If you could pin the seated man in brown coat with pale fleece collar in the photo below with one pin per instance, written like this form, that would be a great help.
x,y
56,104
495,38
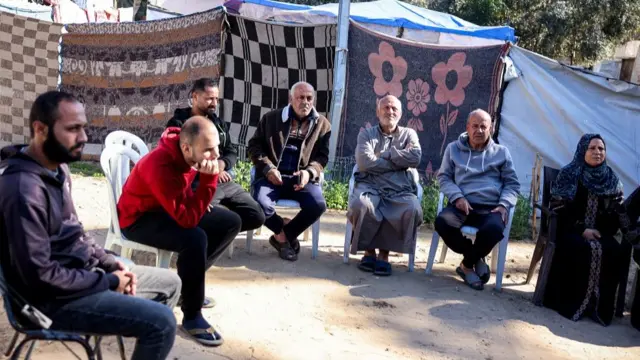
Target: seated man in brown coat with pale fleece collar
x,y
289,150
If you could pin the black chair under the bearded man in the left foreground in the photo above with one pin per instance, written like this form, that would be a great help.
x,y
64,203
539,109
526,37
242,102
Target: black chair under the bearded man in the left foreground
x,y
35,326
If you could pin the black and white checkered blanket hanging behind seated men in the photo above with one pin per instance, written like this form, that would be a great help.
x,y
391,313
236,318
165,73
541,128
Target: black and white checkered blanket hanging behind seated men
x,y
262,61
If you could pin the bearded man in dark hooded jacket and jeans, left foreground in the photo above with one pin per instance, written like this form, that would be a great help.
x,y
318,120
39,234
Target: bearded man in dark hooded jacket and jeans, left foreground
x,y
48,258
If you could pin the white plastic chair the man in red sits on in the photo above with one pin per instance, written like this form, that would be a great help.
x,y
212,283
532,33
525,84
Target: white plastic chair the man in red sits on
x,y
115,160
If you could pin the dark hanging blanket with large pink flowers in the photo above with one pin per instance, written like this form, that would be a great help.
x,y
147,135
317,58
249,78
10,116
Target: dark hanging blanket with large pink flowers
x,y
438,88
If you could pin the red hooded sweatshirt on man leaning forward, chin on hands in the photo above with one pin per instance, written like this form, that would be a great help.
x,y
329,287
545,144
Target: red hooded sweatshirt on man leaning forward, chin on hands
x,y
161,180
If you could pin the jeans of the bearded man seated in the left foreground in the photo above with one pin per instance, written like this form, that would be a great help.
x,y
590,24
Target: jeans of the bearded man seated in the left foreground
x,y
152,323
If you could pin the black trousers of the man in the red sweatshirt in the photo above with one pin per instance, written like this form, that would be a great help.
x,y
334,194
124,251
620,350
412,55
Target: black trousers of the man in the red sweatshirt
x,y
198,248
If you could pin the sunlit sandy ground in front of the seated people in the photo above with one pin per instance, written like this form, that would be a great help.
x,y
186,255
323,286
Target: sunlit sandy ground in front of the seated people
x,y
324,309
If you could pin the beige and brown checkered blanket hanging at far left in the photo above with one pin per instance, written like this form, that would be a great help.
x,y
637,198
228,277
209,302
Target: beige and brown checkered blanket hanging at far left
x,y
28,68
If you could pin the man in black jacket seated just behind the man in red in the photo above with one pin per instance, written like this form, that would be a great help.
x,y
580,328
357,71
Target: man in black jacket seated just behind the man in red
x,y
204,97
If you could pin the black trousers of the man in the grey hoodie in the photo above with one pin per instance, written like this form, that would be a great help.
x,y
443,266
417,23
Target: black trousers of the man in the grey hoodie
x,y
490,228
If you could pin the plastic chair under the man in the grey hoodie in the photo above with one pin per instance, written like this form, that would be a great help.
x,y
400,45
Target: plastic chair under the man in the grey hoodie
x,y
498,256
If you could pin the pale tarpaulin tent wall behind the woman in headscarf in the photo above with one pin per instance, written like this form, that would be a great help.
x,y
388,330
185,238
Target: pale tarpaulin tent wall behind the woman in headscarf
x,y
549,106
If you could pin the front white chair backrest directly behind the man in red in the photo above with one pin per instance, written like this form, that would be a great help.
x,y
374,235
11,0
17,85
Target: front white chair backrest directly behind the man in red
x,y
111,161
